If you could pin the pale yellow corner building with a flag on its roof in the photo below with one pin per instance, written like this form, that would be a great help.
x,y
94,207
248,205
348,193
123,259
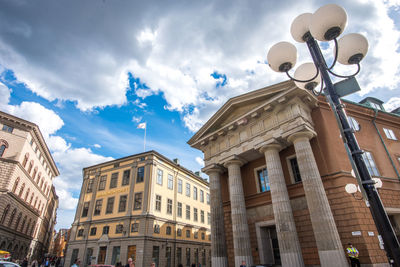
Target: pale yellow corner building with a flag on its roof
x,y
145,207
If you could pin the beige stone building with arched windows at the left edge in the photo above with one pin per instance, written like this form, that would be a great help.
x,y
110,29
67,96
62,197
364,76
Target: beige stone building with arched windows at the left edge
x,y
27,170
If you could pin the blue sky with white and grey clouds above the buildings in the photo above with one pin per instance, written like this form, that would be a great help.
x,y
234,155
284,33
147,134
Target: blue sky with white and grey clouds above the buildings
x,y
89,71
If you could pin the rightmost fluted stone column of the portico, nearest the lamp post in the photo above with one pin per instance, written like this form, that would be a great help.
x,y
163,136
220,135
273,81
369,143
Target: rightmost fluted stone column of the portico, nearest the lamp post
x,y
330,248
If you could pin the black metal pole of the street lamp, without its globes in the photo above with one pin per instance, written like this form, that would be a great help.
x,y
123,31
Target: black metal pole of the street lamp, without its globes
x,y
378,212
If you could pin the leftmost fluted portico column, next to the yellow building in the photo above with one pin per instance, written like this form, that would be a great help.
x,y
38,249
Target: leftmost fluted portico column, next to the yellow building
x,y
218,246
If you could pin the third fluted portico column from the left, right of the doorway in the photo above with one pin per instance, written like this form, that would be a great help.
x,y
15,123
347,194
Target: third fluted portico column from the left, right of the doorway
x,y
289,245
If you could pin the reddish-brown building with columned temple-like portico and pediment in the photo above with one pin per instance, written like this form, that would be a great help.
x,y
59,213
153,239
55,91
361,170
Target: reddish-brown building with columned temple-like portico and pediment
x,y
278,170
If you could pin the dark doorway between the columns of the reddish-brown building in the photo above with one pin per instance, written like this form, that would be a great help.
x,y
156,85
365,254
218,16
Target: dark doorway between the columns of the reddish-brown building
x,y
269,252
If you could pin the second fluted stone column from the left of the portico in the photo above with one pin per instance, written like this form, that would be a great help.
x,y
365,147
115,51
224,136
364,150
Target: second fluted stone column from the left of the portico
x,y
240,228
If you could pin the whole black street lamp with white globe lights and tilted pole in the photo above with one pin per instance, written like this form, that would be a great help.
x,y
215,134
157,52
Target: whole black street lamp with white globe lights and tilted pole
x,y
325,25
